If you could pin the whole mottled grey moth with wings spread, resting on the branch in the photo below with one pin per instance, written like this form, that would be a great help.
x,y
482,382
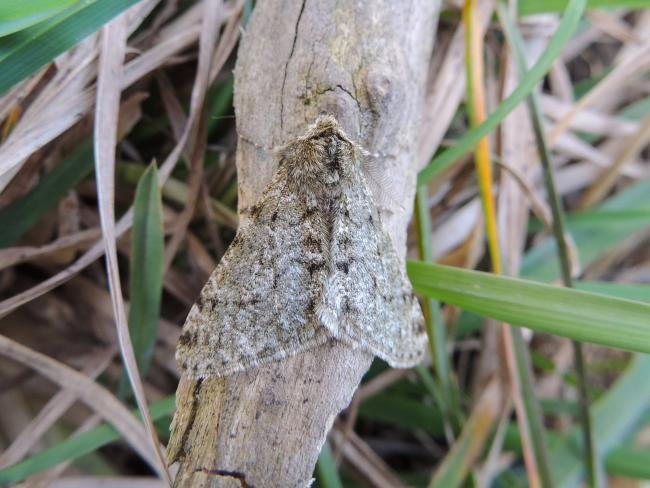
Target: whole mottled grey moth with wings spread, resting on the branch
x,y
311,264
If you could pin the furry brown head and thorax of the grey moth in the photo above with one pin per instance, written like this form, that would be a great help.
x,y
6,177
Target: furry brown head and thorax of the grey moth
x,y
323,154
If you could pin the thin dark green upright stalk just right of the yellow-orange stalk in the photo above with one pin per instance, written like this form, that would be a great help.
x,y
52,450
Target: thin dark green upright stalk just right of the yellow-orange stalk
x,y
559,231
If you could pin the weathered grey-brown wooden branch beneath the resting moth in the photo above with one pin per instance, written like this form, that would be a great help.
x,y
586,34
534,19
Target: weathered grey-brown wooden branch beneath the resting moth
x,y
365,62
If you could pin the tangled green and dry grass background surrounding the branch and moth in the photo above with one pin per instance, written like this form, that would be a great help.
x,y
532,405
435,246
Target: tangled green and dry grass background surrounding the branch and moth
x,y
432,426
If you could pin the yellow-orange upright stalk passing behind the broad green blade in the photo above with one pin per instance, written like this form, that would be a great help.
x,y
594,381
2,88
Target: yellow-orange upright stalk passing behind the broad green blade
x,y
518,362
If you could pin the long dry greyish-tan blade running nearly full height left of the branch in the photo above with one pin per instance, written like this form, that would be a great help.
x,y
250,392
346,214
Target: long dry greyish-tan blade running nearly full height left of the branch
x,y
113,48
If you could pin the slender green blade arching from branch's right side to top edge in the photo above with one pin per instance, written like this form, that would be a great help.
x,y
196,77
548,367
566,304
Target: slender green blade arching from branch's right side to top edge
x,y
565,30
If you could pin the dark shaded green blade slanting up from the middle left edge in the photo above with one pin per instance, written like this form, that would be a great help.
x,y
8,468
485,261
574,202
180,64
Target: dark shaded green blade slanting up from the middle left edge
x,y
19,216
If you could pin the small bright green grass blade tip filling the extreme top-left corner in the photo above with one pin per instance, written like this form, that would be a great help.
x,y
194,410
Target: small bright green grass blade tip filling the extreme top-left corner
x,y
16,15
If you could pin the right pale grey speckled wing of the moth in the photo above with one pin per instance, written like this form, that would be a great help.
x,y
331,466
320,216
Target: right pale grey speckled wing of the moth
x,y
368,290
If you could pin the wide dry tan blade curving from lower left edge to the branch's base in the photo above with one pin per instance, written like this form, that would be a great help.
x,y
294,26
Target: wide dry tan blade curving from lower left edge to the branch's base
x,y
95,396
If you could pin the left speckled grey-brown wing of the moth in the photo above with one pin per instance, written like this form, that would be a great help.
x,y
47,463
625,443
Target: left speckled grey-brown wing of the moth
x,y
260,303
